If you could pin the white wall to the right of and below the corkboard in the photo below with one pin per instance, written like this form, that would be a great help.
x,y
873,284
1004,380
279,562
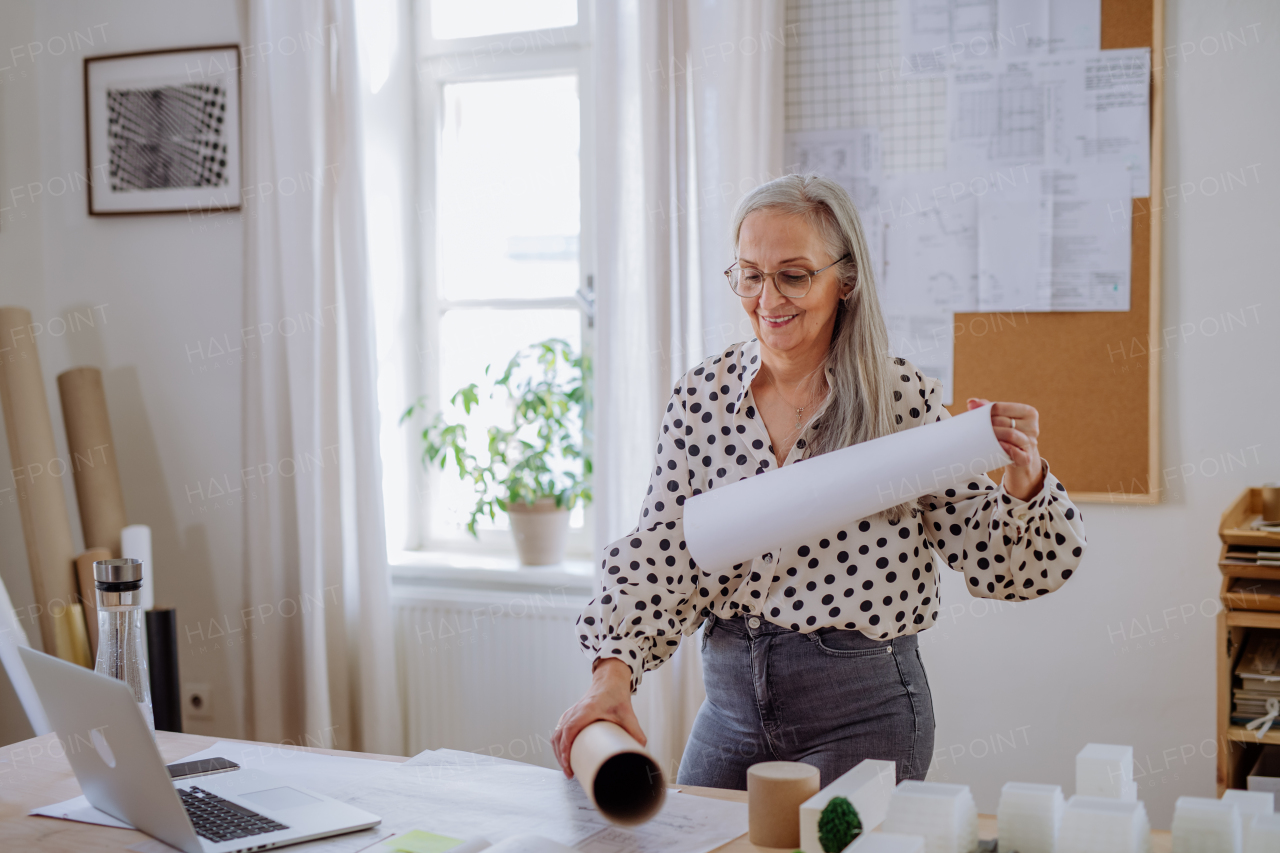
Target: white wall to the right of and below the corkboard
x,y
1124,654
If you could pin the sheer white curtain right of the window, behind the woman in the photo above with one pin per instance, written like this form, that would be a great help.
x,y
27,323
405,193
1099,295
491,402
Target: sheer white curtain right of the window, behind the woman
x,y
689,118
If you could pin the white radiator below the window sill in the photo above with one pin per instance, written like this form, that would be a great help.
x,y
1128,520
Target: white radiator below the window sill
x,y
488,672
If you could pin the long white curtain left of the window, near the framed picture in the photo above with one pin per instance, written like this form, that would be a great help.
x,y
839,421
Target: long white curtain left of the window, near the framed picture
x,y
317,614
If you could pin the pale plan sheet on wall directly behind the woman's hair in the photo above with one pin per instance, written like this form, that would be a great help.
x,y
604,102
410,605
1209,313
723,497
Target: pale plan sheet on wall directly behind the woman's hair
x,y
852,158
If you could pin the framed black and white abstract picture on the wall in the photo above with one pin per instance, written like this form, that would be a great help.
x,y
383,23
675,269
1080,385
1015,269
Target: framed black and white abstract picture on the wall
x,y
163,131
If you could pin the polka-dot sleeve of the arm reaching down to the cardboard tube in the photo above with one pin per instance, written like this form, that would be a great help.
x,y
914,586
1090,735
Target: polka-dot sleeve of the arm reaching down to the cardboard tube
x,y
648,581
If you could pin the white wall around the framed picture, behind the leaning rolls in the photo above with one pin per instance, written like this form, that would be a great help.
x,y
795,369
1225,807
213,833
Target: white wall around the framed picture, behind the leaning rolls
x,y
159,288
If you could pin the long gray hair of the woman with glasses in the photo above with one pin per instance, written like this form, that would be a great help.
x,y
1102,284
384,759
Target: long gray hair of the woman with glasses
x,y
862,402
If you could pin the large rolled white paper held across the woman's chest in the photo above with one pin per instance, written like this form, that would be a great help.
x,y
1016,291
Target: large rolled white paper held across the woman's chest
x,y
806,500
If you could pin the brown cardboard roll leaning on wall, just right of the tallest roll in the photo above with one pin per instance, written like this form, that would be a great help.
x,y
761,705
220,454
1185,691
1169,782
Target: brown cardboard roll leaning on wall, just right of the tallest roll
x,y
89,440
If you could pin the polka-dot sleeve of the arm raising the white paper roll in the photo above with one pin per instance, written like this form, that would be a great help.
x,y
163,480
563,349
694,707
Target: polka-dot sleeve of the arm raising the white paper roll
x,y
1007,548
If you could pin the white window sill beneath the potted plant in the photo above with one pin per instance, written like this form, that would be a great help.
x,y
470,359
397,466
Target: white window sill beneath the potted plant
x,y
488,572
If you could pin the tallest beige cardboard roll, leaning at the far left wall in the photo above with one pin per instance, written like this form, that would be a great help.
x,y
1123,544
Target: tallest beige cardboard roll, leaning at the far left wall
x,y
38,476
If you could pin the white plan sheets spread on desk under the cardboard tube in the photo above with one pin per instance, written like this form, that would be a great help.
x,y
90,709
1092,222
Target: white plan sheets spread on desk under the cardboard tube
x,y
442,795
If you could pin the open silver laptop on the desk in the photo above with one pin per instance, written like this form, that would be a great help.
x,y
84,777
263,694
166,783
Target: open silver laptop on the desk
x,y
121,773
